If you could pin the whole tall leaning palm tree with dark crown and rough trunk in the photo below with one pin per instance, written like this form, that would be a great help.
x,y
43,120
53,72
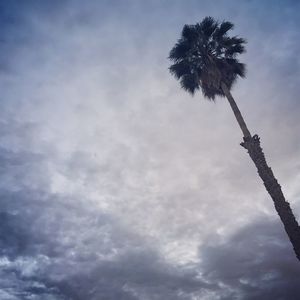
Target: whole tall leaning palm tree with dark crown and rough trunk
x,y
205,57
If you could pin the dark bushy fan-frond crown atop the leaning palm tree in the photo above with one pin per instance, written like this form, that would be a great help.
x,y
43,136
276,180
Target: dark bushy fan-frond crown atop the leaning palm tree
x,y
205,57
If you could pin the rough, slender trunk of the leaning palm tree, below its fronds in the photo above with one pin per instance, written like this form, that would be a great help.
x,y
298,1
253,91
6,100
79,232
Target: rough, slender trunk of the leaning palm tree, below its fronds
x,y
252,144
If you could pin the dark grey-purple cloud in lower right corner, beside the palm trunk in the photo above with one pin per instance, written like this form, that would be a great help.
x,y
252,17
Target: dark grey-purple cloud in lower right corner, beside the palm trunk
x,y
257,262
